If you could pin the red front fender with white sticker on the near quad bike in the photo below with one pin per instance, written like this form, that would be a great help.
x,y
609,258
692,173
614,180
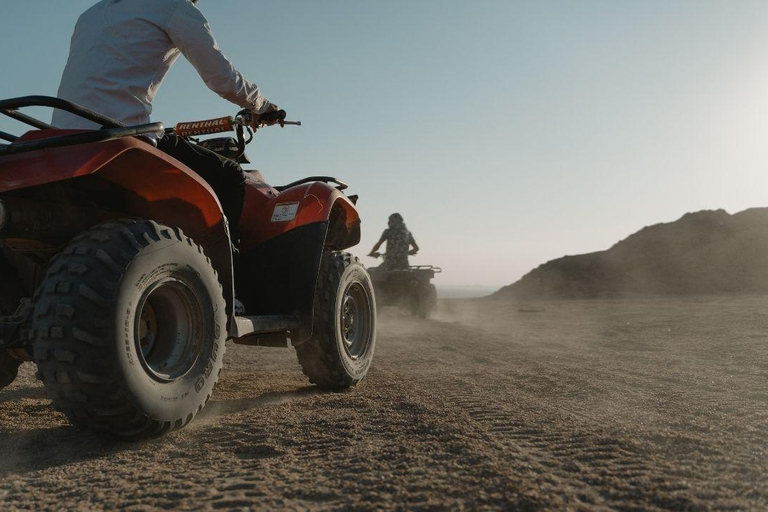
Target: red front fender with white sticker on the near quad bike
x,y
313,202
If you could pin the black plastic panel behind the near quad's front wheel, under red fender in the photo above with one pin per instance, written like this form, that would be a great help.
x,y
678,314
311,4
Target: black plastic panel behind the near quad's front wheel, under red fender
x,y
279,277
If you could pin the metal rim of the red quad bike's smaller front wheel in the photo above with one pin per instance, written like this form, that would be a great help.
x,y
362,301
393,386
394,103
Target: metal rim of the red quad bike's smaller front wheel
x,y
356,319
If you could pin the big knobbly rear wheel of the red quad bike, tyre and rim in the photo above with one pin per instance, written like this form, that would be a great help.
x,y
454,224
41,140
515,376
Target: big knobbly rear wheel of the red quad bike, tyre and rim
x,y
128,329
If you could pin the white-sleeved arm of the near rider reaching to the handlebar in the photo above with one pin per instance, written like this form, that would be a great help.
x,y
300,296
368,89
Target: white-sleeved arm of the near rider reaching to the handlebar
x,y
190,32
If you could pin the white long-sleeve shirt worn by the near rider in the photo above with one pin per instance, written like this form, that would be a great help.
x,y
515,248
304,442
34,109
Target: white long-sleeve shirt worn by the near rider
x,y
121,51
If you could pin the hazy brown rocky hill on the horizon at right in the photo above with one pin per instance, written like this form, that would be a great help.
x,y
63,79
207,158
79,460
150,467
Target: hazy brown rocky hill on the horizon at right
x,y
707,252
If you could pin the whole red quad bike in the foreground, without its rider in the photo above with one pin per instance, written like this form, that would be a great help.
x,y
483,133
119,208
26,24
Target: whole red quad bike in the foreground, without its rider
x,y
117,271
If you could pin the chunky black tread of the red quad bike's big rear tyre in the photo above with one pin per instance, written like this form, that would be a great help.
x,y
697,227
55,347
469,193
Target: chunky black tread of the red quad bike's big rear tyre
x,y
69,333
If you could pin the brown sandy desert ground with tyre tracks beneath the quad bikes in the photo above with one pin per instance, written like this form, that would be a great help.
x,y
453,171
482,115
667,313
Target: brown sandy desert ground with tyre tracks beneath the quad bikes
x,y
630,405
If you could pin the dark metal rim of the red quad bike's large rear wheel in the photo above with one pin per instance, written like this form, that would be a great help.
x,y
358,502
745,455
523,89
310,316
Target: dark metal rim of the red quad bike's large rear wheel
x,y
167,332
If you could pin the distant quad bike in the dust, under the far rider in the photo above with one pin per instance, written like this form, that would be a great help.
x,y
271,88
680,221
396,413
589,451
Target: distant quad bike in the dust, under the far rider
x,y
408,288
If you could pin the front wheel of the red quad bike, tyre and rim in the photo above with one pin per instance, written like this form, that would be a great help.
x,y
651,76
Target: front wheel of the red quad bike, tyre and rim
x,y
340,352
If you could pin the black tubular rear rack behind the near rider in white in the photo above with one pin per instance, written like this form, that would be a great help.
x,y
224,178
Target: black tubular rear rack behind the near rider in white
x,y
111,129
